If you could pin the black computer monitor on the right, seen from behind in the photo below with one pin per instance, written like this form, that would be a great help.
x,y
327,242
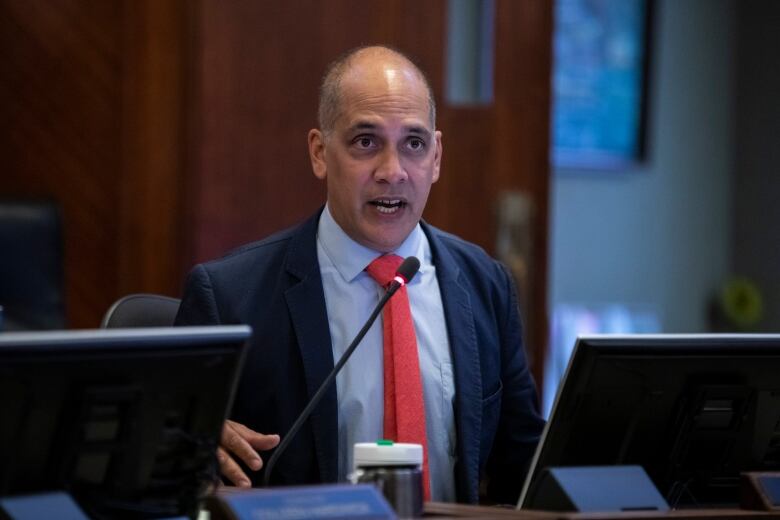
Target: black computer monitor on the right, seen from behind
x,y
693,410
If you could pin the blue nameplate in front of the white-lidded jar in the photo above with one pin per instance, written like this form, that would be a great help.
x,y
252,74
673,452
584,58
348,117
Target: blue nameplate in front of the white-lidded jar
x,y
359,502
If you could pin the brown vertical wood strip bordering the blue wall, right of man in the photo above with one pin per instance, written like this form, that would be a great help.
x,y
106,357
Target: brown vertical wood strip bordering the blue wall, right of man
x,y
522,132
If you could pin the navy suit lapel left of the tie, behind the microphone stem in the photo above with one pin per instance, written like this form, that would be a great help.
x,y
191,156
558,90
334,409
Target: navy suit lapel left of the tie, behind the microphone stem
x,y
306,303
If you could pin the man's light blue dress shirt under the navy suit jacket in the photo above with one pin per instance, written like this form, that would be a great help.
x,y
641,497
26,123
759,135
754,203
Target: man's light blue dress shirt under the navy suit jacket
x,y
350,296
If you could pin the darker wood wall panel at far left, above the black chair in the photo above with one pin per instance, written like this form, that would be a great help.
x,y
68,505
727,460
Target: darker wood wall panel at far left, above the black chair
x,y
60,93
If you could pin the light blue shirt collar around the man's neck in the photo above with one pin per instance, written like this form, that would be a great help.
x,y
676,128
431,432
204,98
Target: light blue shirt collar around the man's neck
x,y
350,258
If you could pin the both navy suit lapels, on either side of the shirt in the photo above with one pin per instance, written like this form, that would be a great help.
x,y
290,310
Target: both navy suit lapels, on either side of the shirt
x,y
306,303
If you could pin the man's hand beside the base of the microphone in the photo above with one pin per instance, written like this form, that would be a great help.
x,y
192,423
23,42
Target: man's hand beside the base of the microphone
x,y
239,441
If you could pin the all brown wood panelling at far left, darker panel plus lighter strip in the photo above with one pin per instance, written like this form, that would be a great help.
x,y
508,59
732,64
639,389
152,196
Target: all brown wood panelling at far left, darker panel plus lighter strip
x,y
91,97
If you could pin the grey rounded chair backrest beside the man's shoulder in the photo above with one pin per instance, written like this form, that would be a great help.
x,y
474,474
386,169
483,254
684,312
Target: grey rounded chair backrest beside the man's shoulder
x,y
141,310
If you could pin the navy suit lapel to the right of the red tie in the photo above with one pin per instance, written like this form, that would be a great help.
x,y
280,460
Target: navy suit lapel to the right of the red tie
x,y
454,289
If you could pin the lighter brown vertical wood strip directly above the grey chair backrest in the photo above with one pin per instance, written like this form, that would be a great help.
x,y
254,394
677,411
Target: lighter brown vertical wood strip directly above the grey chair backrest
x,y
155,97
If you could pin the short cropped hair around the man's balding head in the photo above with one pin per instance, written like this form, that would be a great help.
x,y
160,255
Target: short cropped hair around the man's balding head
x,y
330,88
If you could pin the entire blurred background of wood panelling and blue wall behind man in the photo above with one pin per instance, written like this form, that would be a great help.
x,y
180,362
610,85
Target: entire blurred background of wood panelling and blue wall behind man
x,y
139,137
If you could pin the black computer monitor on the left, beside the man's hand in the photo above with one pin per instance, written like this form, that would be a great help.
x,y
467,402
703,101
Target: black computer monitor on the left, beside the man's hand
x,y
126,420
